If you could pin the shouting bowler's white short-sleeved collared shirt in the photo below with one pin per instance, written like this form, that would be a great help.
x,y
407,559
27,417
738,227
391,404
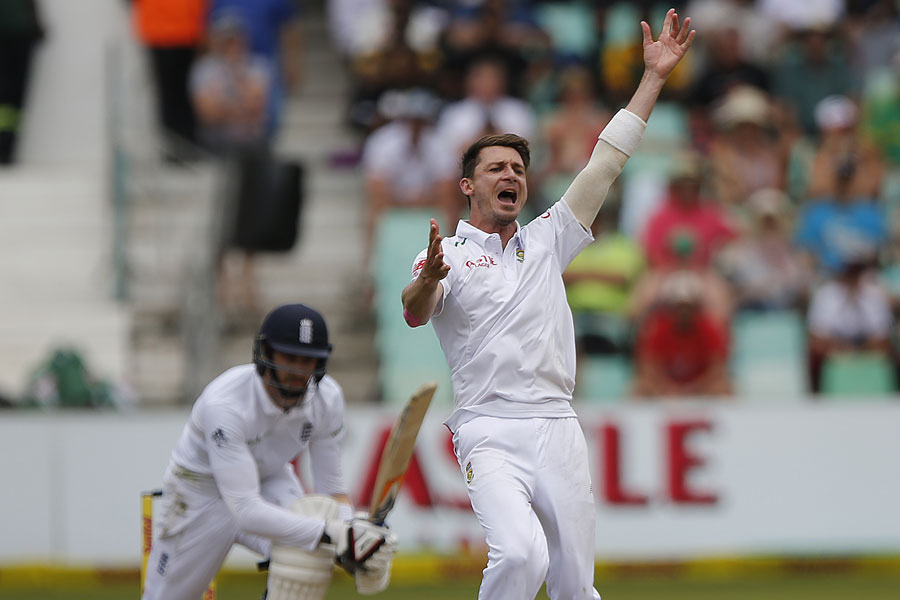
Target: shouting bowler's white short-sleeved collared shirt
x,y
504,323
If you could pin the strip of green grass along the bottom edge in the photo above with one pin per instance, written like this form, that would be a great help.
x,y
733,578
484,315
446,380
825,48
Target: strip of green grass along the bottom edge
x,y
817,586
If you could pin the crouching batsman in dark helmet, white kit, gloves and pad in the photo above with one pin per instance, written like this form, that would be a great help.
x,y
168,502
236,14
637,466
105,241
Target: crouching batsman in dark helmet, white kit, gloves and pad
x,y
229,478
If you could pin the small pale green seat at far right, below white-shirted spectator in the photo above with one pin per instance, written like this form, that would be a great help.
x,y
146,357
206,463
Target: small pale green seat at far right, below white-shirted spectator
x,y
857,376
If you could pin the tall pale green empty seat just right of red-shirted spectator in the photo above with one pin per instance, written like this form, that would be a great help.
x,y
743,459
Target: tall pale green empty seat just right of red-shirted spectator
x,y
769,356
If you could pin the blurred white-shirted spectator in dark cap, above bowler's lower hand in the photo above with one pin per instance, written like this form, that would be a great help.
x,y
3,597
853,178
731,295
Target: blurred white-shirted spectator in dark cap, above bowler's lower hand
x,y
402,158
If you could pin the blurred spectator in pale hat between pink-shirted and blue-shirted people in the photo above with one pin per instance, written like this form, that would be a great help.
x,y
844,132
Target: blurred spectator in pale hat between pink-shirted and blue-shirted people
x,y
763,266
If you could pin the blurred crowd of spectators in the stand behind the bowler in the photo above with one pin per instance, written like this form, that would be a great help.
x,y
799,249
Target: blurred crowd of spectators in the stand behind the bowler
x,y
768,179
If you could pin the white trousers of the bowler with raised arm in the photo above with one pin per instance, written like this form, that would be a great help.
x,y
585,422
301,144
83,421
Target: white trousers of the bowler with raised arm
x,y
530,487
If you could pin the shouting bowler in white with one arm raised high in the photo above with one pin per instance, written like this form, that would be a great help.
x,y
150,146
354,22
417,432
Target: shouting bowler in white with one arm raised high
x,y
495,296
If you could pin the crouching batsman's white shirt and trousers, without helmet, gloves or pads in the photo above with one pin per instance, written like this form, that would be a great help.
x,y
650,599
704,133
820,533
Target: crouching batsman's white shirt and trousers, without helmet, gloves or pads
x,y
229,479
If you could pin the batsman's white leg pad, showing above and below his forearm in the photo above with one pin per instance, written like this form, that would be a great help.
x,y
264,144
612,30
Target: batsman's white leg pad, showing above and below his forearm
x,y
297,574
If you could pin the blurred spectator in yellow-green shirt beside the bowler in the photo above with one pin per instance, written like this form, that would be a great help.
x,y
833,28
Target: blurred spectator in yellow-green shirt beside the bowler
x,y
599,283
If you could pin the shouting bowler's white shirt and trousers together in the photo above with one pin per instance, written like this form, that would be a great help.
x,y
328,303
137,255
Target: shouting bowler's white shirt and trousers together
x,y
506,329
